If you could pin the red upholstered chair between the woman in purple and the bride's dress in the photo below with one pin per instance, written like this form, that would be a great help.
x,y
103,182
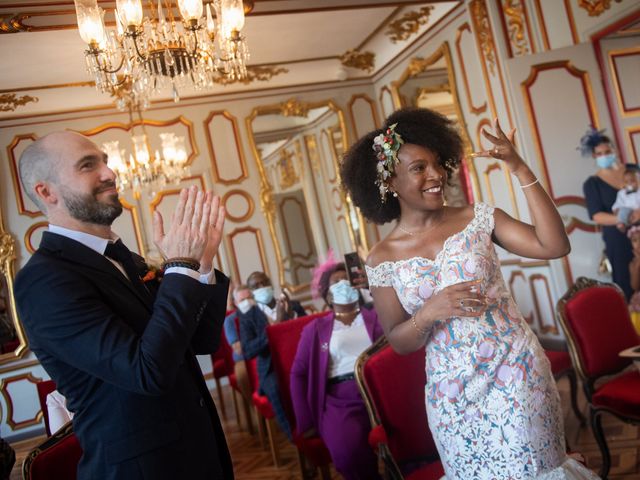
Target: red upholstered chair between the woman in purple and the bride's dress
x,y
392,387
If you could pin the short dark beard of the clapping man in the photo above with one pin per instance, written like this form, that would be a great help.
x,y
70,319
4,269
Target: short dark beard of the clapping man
x,y
87,208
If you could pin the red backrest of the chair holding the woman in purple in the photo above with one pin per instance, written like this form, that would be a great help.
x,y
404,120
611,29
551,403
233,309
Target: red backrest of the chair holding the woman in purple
x,y
283,342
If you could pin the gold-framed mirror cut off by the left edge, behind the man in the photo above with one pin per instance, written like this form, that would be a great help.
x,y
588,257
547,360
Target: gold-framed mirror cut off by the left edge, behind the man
x,y
13,342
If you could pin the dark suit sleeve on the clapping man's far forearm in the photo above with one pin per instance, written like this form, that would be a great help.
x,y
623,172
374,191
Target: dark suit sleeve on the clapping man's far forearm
x,y
206,338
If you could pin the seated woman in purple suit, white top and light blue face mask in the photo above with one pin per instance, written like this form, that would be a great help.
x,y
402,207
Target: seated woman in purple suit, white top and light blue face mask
x,y
324,392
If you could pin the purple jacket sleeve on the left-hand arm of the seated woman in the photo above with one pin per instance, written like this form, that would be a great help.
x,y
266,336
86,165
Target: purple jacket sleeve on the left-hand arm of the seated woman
x,y
300,381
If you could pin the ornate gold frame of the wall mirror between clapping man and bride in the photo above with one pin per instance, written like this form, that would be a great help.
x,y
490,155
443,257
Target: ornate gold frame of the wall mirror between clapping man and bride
x,y
288,108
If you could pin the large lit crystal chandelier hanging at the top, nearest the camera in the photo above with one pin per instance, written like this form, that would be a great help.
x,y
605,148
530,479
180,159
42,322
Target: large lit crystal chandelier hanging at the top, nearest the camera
x,y
158,52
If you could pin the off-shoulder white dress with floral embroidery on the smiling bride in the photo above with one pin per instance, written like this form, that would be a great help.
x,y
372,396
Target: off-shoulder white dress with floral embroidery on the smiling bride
x,y
492,403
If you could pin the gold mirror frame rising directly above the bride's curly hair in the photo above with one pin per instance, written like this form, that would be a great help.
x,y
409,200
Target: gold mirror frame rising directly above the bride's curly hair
x,y
418,65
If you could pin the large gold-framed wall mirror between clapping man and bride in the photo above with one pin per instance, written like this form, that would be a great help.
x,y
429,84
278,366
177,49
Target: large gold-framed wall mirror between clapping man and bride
x,y
297,147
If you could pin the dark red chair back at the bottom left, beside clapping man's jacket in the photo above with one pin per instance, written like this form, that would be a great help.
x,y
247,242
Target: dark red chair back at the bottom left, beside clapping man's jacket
x,y
57,457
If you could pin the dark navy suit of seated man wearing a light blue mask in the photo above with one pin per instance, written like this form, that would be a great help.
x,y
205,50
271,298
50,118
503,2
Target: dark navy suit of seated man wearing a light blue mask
x,y
253,338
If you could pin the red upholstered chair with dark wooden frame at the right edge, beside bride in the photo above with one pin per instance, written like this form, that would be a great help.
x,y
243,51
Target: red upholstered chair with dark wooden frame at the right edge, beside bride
x,y
596,323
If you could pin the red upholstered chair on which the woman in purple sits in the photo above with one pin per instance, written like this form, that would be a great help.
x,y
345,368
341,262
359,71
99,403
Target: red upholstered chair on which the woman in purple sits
x,y
283,341
